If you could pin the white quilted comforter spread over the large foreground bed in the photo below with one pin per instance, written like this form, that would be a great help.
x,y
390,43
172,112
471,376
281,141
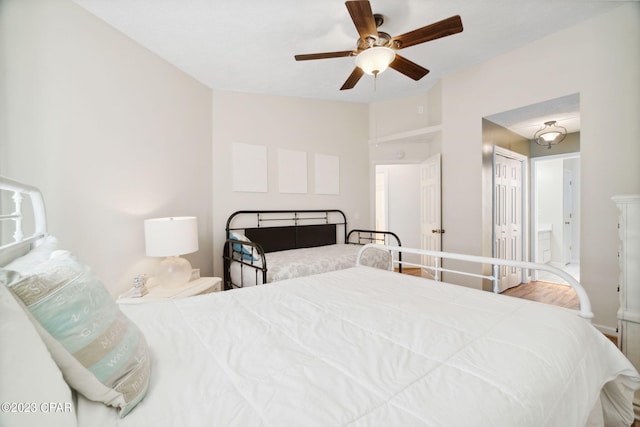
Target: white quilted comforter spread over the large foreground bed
x,y
367,347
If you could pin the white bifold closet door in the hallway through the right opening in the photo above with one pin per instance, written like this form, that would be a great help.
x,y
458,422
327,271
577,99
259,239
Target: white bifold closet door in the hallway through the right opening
x,y
508,217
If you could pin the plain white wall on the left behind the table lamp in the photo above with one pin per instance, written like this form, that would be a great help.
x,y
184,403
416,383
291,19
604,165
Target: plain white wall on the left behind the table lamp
x,y
108,131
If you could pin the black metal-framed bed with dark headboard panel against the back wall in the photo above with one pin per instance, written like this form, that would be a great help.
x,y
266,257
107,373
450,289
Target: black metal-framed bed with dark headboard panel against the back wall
x,y
270,245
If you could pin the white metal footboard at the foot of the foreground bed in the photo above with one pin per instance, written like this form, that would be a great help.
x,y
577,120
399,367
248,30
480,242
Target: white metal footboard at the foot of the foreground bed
x,y
496,263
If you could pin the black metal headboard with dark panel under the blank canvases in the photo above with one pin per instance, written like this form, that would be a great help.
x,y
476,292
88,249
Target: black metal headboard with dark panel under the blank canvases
x,y
278,230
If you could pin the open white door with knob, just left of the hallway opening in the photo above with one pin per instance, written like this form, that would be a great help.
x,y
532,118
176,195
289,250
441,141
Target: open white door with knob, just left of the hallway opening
x,y
430,210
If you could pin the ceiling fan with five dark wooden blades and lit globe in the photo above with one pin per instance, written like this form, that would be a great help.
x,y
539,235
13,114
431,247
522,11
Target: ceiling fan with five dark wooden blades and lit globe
x,y
376,50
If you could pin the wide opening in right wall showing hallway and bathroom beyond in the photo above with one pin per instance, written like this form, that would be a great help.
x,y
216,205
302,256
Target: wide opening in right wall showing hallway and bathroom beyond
x,y
550,222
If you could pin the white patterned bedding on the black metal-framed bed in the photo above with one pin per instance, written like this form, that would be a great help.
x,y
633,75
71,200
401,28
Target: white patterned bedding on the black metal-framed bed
x,y
294,263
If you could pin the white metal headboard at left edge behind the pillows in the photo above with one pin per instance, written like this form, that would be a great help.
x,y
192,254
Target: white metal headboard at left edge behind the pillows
x,y
14,193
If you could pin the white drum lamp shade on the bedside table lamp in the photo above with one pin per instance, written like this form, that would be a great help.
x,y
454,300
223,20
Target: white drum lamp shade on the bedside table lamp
x,y
171,236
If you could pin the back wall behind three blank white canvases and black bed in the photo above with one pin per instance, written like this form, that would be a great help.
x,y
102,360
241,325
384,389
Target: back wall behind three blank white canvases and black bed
x,y
315,127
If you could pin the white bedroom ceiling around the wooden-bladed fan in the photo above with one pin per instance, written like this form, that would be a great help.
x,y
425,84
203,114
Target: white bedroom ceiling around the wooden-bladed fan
x,y
249,46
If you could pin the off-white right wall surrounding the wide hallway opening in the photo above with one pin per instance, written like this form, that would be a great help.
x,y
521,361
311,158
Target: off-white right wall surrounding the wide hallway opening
x,y
600,60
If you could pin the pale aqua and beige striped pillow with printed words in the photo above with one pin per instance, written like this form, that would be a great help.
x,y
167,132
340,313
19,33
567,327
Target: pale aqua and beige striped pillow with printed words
x,y
101,353
